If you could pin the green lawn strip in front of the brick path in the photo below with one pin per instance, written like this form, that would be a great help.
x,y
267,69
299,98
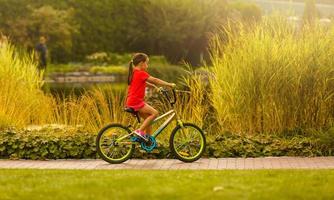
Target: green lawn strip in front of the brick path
x,y
140,184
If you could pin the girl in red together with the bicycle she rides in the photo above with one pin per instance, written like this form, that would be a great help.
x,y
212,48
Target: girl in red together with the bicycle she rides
x,y
115,143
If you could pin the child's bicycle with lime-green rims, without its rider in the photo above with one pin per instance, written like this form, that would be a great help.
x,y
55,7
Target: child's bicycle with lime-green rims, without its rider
x,y
116,143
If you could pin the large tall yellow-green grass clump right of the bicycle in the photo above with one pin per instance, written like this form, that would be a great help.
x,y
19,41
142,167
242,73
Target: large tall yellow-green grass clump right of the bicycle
x,y
273,77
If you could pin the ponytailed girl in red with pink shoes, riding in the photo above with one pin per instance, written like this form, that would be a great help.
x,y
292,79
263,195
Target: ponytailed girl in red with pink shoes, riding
x,y
137,80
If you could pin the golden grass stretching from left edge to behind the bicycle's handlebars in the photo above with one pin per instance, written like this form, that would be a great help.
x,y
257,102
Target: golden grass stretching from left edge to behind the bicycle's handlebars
x,y
23,103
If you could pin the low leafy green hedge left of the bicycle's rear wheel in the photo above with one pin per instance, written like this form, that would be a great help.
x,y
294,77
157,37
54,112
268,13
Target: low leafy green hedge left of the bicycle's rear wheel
x,y
47,144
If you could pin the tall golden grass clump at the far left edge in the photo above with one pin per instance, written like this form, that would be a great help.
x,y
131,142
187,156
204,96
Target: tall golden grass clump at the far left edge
x,y
21,100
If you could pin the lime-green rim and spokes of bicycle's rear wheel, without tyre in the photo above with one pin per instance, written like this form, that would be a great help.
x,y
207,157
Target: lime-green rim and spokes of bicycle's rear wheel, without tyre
x,y
110,150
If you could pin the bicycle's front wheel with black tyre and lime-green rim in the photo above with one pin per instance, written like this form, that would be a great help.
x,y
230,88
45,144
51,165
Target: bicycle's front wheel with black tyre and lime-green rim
x,y
187,143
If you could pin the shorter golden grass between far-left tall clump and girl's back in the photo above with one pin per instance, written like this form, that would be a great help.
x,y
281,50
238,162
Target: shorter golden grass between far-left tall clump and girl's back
x,y
93,110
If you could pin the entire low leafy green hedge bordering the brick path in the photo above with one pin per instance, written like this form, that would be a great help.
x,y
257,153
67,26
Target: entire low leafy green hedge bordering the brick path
x,y
68,142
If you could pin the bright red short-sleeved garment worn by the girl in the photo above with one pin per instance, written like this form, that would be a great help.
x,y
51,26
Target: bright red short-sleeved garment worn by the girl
x,y
136,90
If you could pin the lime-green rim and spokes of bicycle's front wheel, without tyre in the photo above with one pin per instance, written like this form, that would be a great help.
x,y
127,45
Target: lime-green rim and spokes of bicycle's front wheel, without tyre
x,y
188,142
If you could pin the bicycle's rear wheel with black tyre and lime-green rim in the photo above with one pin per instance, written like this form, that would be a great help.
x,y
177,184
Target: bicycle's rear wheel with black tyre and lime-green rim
x,y
113,144
